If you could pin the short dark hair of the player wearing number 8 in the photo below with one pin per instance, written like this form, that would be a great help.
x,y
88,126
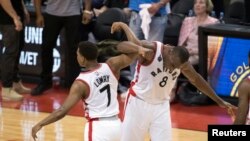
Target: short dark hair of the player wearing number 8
x,y
182,53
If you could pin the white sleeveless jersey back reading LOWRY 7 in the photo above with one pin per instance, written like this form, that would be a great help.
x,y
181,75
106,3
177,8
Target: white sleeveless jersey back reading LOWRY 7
x,y
101,98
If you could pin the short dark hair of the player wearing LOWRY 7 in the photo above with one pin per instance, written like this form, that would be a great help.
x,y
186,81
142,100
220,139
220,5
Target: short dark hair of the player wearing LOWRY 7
x,y
88,50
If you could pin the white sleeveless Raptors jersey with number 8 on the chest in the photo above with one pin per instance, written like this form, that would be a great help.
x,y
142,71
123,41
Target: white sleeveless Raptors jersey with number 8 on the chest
x,y
152,82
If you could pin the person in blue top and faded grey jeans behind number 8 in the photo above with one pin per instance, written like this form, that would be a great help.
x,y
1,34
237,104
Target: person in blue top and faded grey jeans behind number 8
x,y
157,10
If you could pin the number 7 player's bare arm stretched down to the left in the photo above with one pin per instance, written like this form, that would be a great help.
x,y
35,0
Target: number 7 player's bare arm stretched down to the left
x,y
76,93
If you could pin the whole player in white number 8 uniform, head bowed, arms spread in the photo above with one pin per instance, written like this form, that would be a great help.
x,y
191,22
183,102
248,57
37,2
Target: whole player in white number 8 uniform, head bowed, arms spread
x,y
147,107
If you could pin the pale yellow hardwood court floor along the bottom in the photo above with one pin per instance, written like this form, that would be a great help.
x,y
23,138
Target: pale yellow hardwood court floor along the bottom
x,y
16,126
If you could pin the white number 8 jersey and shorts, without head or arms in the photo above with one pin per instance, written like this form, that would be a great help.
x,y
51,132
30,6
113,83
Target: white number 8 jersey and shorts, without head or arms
x,y
148,97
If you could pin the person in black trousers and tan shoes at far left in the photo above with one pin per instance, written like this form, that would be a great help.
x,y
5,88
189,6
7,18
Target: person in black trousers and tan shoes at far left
x,y
13,16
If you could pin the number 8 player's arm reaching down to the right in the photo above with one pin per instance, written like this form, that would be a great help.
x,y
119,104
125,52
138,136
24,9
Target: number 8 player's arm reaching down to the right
x,y
196,79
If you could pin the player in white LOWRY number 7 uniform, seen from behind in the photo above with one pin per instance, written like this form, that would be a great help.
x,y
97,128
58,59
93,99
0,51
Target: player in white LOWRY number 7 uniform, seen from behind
x,y
97,86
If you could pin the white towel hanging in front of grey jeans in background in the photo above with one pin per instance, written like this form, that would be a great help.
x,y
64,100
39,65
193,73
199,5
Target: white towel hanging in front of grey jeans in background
x,y
146,19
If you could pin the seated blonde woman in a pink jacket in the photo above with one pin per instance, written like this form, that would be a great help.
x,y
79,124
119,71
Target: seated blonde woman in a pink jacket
x,y
189,30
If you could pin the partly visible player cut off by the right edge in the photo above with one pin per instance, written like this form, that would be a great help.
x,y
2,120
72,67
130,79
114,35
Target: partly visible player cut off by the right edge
x,y
243,112
